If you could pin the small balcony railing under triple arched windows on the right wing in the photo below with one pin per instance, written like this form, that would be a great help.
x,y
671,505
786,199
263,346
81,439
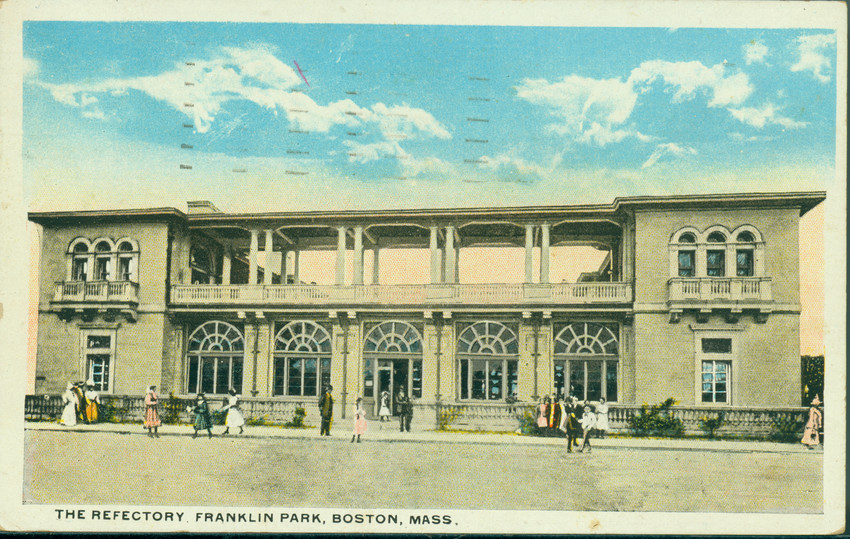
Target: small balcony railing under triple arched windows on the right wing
x,y
683,290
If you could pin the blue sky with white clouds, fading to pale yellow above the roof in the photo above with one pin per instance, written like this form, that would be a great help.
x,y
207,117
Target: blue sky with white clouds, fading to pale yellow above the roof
x,y
315,116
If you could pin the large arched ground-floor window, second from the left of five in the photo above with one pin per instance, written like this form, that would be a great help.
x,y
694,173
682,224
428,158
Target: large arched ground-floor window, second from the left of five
x,y
302,359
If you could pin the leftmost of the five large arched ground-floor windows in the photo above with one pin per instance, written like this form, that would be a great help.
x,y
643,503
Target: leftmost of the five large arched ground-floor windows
x,y
215,358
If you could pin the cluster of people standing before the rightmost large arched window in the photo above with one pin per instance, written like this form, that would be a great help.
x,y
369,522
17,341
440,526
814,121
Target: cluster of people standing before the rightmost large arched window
x,y
558,416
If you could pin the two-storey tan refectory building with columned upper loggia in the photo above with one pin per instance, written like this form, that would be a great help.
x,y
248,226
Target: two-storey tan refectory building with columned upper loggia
x,y
695,297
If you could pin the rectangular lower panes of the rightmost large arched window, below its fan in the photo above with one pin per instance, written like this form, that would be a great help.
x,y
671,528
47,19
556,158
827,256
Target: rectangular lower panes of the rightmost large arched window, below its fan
x,y
589,379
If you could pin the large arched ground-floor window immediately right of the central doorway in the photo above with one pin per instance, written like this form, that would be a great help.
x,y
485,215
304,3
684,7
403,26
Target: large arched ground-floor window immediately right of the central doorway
x,y
488,354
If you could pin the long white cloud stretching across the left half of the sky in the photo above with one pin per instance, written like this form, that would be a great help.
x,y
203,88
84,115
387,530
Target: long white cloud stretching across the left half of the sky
x,y
200,89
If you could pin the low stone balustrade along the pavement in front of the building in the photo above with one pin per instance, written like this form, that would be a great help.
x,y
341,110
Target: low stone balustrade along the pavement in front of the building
x,y
738,422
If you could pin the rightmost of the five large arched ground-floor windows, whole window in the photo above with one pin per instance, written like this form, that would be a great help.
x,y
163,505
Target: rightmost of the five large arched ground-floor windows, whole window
x,y
587,355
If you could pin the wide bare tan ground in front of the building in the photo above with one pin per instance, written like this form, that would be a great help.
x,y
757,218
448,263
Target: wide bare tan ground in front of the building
x,y
119,464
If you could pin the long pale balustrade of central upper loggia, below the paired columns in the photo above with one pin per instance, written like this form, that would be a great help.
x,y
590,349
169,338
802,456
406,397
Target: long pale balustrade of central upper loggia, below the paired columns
x,y
429,294
